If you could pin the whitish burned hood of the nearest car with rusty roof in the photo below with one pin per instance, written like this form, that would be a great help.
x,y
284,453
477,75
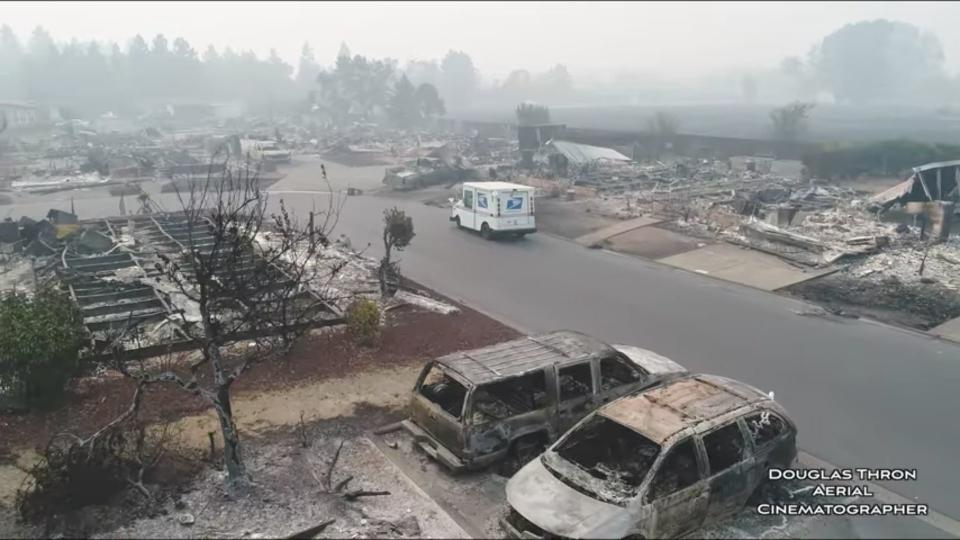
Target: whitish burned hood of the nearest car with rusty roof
x,y
550,504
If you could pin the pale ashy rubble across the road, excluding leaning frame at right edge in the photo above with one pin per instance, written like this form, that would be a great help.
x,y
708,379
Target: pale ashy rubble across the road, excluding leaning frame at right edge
x,y
807,223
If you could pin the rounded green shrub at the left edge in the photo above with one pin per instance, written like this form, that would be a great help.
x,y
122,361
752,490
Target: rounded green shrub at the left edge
x,y
40,345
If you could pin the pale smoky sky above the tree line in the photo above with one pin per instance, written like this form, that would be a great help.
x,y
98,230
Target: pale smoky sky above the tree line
x,y
673,39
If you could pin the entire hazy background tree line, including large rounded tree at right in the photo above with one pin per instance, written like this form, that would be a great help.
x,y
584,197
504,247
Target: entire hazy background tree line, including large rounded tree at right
x,y
865,62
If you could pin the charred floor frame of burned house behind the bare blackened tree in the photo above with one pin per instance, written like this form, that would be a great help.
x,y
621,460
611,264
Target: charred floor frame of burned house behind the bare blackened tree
x,y
109,268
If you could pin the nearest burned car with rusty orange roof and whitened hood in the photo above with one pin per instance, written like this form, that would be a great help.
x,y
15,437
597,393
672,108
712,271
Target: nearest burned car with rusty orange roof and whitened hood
x,y
658,463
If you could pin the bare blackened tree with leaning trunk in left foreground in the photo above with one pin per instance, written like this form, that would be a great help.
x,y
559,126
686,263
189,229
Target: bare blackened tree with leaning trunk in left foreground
x,y
246,283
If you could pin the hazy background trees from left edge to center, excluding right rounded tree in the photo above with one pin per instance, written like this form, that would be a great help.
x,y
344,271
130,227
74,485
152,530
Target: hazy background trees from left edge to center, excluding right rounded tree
x,y
96,77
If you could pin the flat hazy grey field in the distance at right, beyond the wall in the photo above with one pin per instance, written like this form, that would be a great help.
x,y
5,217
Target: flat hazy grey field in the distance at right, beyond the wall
x,y
827,123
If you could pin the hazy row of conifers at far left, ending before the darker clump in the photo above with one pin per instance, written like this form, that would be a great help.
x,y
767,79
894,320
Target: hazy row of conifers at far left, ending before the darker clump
x,y
99,77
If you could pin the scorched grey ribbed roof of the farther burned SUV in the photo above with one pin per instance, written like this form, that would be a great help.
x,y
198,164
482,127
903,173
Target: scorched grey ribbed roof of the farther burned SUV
x,y
512,358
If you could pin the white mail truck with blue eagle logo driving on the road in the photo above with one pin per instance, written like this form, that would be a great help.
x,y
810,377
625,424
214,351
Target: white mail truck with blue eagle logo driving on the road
x,y
495,208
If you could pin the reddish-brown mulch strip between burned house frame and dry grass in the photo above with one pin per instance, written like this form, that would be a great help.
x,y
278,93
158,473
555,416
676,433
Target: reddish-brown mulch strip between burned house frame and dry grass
x,y
411,336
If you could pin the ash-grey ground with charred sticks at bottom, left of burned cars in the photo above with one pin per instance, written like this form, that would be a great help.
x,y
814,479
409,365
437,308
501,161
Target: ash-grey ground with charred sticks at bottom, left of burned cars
x,y
286,500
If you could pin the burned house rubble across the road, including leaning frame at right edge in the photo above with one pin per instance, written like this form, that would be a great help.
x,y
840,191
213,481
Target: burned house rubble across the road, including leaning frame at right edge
x,y
874,253
